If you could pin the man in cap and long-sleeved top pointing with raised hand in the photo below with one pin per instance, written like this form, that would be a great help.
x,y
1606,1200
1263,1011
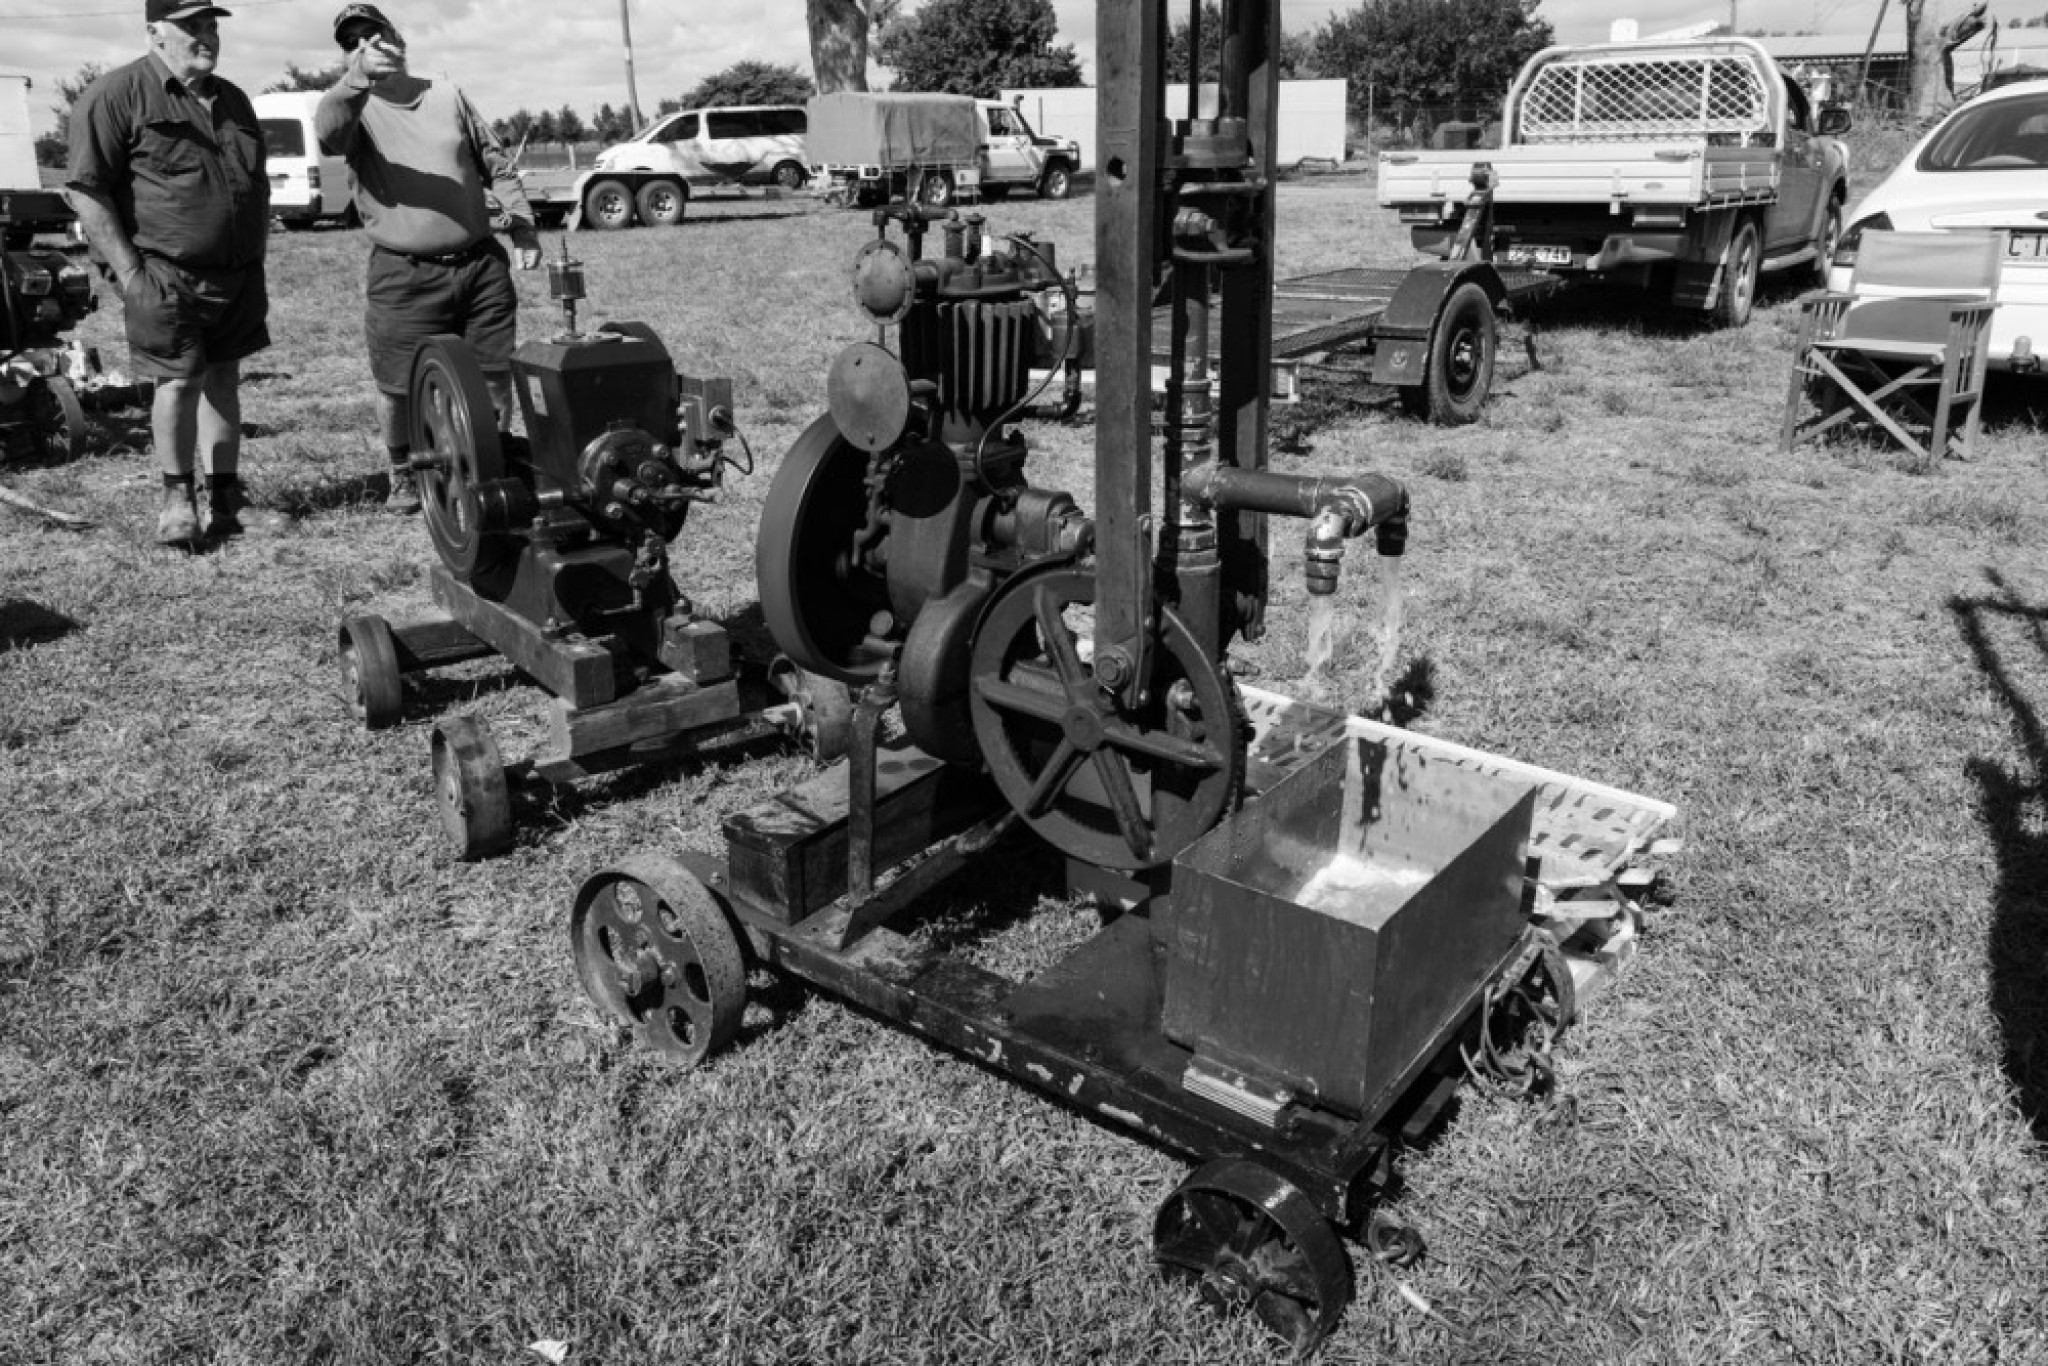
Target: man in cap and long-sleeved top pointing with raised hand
x,y
423,161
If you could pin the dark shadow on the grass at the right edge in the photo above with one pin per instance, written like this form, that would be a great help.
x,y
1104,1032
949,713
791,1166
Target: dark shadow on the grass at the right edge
x,y
2014,806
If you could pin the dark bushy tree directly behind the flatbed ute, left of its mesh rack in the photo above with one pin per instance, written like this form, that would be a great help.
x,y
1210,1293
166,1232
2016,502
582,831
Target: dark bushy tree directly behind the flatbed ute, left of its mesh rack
x,y
1424,60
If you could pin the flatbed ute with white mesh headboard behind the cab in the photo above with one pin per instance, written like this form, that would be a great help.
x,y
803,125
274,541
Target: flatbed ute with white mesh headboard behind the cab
x,y
1682,169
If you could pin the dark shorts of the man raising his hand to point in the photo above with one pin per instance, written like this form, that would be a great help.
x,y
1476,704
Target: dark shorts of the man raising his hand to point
x,y
413,300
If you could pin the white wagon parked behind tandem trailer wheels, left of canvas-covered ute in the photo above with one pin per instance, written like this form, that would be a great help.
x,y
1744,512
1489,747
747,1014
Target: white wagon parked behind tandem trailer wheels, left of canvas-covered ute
x,y
650,177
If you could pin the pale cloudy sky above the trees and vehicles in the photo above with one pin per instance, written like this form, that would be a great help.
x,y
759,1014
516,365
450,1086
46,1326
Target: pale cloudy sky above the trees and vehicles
x,y
546,54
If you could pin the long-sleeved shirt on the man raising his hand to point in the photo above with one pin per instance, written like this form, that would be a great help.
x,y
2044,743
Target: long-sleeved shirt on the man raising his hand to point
x,y
423,161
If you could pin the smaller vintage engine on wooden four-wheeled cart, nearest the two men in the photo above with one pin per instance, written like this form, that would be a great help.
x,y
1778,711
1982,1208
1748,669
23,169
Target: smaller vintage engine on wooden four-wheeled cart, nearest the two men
x,y
556,556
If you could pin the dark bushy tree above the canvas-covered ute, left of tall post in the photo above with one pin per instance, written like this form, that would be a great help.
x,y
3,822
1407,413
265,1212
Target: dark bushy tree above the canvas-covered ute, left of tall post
x,y
978,48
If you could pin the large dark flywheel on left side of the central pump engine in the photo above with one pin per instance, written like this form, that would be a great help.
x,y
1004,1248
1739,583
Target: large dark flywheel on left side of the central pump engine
x,y
816,599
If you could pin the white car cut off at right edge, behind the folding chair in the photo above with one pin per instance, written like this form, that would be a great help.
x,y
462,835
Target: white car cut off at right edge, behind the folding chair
x,y
1983,169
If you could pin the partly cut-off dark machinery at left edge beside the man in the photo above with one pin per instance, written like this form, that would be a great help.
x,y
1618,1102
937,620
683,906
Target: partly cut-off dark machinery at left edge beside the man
x,y
42,298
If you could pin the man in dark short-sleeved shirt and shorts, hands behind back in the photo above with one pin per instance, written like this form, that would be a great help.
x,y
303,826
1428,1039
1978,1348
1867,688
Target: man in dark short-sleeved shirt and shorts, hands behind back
x,y
169,181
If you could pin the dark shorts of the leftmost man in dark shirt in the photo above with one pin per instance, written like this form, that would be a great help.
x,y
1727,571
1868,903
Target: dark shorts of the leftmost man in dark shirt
x,y
181,321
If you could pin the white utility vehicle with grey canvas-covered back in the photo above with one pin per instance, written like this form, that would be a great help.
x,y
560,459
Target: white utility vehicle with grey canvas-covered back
x,y
935,146
